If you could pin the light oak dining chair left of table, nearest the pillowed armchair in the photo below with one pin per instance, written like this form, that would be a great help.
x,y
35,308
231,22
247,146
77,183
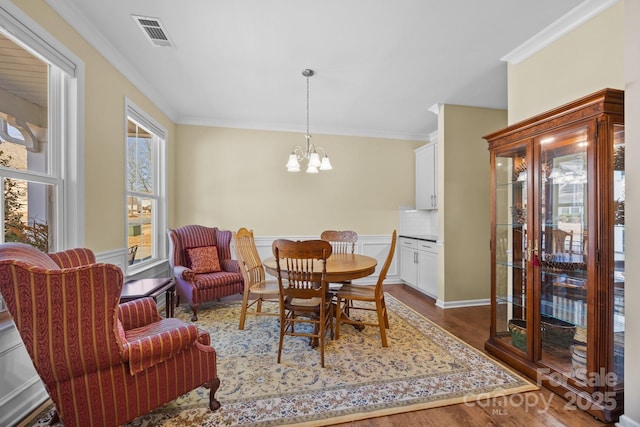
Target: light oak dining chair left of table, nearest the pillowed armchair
x,y
257,288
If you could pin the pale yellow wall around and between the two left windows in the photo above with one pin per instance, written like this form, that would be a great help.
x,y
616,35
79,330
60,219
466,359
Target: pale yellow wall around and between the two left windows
x,y
105,91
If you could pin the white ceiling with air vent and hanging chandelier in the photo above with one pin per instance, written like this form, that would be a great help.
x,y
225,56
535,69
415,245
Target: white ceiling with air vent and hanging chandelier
x,y
380,64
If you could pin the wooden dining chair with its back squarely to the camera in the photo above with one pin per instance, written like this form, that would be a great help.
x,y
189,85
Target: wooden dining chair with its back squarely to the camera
x,y
301,271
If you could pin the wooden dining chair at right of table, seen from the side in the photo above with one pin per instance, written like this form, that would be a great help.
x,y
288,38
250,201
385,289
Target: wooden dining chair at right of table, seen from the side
x,y
370,298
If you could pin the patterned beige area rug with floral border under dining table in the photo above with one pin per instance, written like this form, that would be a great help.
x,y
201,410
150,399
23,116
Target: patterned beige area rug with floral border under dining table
x,y
423,367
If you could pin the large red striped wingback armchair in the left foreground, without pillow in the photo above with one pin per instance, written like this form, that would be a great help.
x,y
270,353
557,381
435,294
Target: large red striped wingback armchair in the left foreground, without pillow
x,y
102,363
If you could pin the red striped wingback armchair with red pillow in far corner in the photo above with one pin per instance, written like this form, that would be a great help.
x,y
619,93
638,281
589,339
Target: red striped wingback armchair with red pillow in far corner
x,y
200,258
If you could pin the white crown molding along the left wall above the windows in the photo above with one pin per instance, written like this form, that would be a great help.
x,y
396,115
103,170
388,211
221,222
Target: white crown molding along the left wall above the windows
x,y
70,13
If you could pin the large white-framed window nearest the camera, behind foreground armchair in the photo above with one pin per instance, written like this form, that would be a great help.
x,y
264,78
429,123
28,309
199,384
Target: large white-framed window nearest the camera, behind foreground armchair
x,y
39,148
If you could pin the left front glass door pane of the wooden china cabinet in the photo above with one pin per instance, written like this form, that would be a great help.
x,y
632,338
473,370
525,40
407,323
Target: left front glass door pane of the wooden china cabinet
x,y
511,179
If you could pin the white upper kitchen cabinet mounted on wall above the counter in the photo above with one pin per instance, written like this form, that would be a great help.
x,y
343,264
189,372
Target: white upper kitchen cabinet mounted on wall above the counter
x,y
426,177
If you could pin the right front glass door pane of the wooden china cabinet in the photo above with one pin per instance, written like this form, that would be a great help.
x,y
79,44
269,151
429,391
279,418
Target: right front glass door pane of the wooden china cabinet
x,y
561,250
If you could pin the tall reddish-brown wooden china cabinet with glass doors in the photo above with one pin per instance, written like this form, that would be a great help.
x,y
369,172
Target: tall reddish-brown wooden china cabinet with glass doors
x,y
557,250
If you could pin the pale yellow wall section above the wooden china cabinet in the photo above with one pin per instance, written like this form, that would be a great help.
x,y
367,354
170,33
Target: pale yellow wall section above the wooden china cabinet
x,y
583,61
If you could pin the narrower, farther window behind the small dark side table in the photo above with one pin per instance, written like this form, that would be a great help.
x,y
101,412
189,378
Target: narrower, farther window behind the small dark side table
x,y
145,194
